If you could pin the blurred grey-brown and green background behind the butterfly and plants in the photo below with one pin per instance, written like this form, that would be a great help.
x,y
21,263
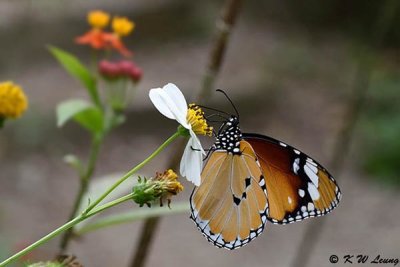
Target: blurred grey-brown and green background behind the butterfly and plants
x,y
293,70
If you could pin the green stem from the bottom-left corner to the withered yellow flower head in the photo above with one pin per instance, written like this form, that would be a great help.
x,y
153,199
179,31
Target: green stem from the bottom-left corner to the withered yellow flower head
x,y
65,227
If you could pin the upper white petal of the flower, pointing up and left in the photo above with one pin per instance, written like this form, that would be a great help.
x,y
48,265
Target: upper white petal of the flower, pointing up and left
x,y
167,106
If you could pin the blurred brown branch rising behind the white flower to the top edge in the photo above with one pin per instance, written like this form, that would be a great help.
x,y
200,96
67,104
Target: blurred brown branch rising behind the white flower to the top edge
x,y
224,27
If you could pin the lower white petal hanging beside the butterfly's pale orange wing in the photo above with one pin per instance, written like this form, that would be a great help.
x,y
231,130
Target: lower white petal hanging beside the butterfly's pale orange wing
x,y
191,163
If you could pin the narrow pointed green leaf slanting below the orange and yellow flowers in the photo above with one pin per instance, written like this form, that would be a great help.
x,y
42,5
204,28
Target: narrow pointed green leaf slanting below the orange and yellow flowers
x,y
77,70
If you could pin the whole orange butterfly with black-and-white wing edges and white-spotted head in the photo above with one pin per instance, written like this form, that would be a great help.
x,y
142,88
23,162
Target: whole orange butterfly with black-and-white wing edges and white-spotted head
x,y
250,179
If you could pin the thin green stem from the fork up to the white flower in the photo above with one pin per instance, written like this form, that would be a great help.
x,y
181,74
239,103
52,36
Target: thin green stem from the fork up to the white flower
x,y
132,171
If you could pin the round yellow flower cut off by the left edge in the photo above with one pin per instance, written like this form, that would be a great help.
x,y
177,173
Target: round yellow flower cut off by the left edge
x,y
13,101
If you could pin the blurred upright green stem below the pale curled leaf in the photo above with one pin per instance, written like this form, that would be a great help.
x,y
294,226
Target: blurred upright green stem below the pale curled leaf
x,y
84,184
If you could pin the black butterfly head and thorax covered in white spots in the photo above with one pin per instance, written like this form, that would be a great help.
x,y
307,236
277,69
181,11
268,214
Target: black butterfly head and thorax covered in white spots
x,y
229,136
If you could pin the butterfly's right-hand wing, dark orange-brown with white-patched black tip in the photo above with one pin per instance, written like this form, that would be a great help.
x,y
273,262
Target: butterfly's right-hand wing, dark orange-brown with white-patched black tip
x,y
298,187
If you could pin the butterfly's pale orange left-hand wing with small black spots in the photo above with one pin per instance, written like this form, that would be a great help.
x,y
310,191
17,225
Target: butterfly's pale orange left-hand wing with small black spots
x,y
230,206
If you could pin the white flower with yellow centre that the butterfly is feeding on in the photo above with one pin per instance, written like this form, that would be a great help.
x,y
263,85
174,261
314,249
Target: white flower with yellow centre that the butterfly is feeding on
x,y
170,101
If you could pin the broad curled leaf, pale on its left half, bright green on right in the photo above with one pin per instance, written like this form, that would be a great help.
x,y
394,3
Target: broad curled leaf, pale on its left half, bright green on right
x,y
88,116
